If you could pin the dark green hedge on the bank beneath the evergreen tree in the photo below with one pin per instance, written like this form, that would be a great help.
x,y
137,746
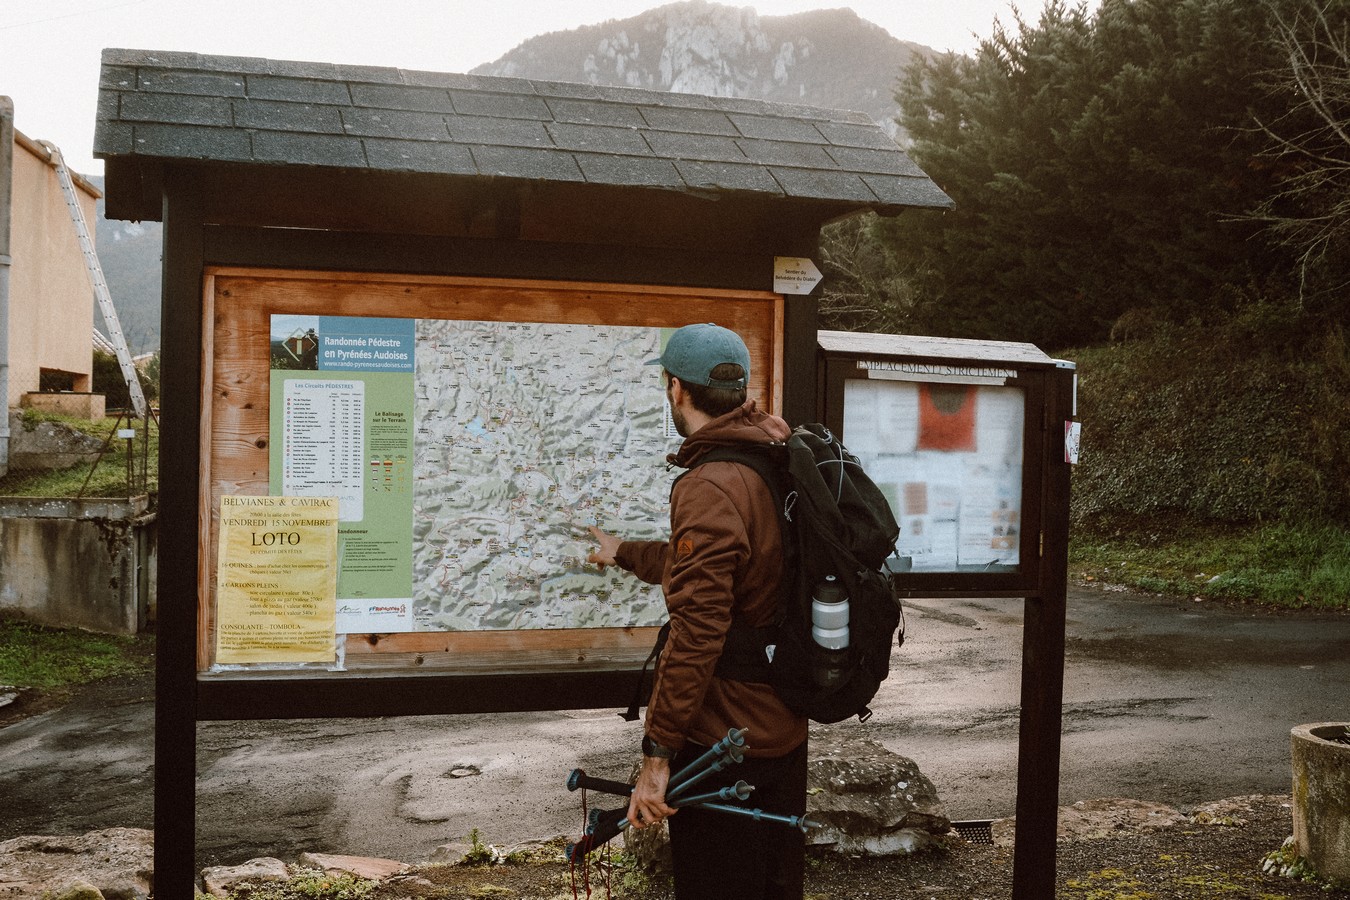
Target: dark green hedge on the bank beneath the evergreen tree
x,y
1248,422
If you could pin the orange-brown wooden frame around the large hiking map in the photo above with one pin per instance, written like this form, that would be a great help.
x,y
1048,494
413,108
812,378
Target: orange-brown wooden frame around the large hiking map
x,y
236,427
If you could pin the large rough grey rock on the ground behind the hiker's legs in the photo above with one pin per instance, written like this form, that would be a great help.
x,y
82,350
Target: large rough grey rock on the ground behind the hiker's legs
x,y
869,799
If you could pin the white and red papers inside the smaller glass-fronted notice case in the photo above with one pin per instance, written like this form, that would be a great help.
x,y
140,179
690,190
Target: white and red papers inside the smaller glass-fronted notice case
x,y
948,458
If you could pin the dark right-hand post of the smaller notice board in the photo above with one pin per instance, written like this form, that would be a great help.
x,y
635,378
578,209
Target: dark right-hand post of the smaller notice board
x,y
1043,663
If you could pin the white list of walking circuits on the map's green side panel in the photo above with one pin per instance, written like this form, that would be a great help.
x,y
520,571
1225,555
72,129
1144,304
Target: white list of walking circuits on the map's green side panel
x,y
325,438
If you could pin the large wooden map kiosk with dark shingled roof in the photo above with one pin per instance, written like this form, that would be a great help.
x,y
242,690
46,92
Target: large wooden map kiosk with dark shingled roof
x,y
404,326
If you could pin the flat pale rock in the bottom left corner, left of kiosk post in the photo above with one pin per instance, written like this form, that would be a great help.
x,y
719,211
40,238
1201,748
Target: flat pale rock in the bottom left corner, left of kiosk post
x,y
115,863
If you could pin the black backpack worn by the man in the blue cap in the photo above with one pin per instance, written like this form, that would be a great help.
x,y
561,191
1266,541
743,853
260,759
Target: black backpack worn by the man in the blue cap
x,y
836,523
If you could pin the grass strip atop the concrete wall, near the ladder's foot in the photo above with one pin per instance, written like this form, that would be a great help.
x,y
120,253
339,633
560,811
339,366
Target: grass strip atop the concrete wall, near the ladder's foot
x,y
110,476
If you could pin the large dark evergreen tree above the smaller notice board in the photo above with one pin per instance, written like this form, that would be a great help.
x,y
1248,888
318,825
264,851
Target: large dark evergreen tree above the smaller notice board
x,y
1101,165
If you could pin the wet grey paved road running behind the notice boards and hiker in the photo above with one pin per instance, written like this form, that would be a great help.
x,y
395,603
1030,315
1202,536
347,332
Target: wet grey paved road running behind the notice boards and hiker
x,y
1171,701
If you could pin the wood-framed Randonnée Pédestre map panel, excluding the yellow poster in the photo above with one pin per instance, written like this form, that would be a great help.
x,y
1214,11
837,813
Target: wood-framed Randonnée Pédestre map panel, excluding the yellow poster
x,y
529,416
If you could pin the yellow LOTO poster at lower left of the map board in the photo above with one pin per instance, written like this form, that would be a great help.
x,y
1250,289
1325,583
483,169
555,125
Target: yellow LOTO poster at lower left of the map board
x,y
277,580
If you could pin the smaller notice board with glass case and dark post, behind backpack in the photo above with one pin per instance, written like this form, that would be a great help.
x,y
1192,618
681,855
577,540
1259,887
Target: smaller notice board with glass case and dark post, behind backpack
x,y
973,445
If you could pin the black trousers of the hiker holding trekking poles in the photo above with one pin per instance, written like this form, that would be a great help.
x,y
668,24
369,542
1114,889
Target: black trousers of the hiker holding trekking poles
x,y
723,855
